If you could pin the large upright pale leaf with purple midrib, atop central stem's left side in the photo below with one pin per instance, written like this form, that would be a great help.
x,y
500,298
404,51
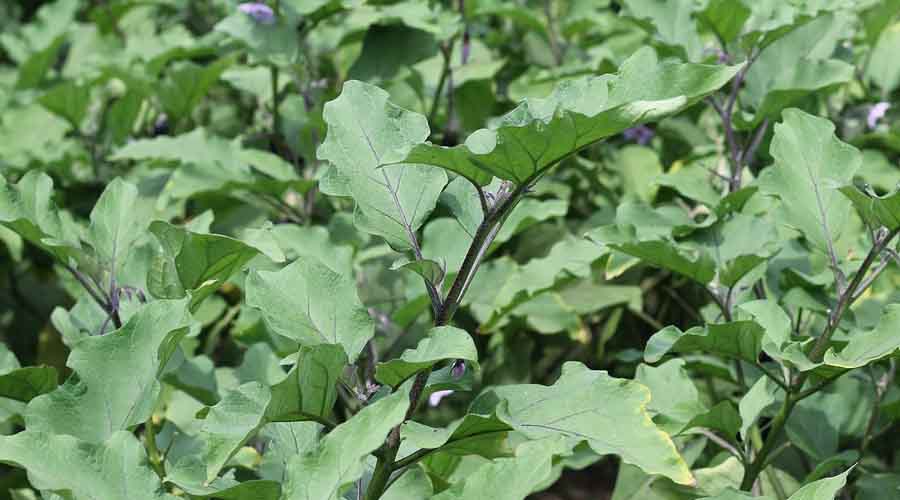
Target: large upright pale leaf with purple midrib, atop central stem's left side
x,y
365,132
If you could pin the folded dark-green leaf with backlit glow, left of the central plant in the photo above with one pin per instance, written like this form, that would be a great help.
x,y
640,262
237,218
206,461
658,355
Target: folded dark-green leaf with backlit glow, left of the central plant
x,y
193,263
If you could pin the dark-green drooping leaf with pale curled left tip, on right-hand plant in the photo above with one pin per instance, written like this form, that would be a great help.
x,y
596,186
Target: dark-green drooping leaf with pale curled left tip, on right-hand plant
x,y
738,339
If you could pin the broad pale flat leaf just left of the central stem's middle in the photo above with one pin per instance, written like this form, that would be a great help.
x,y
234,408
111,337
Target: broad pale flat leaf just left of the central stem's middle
x,y
311,304
